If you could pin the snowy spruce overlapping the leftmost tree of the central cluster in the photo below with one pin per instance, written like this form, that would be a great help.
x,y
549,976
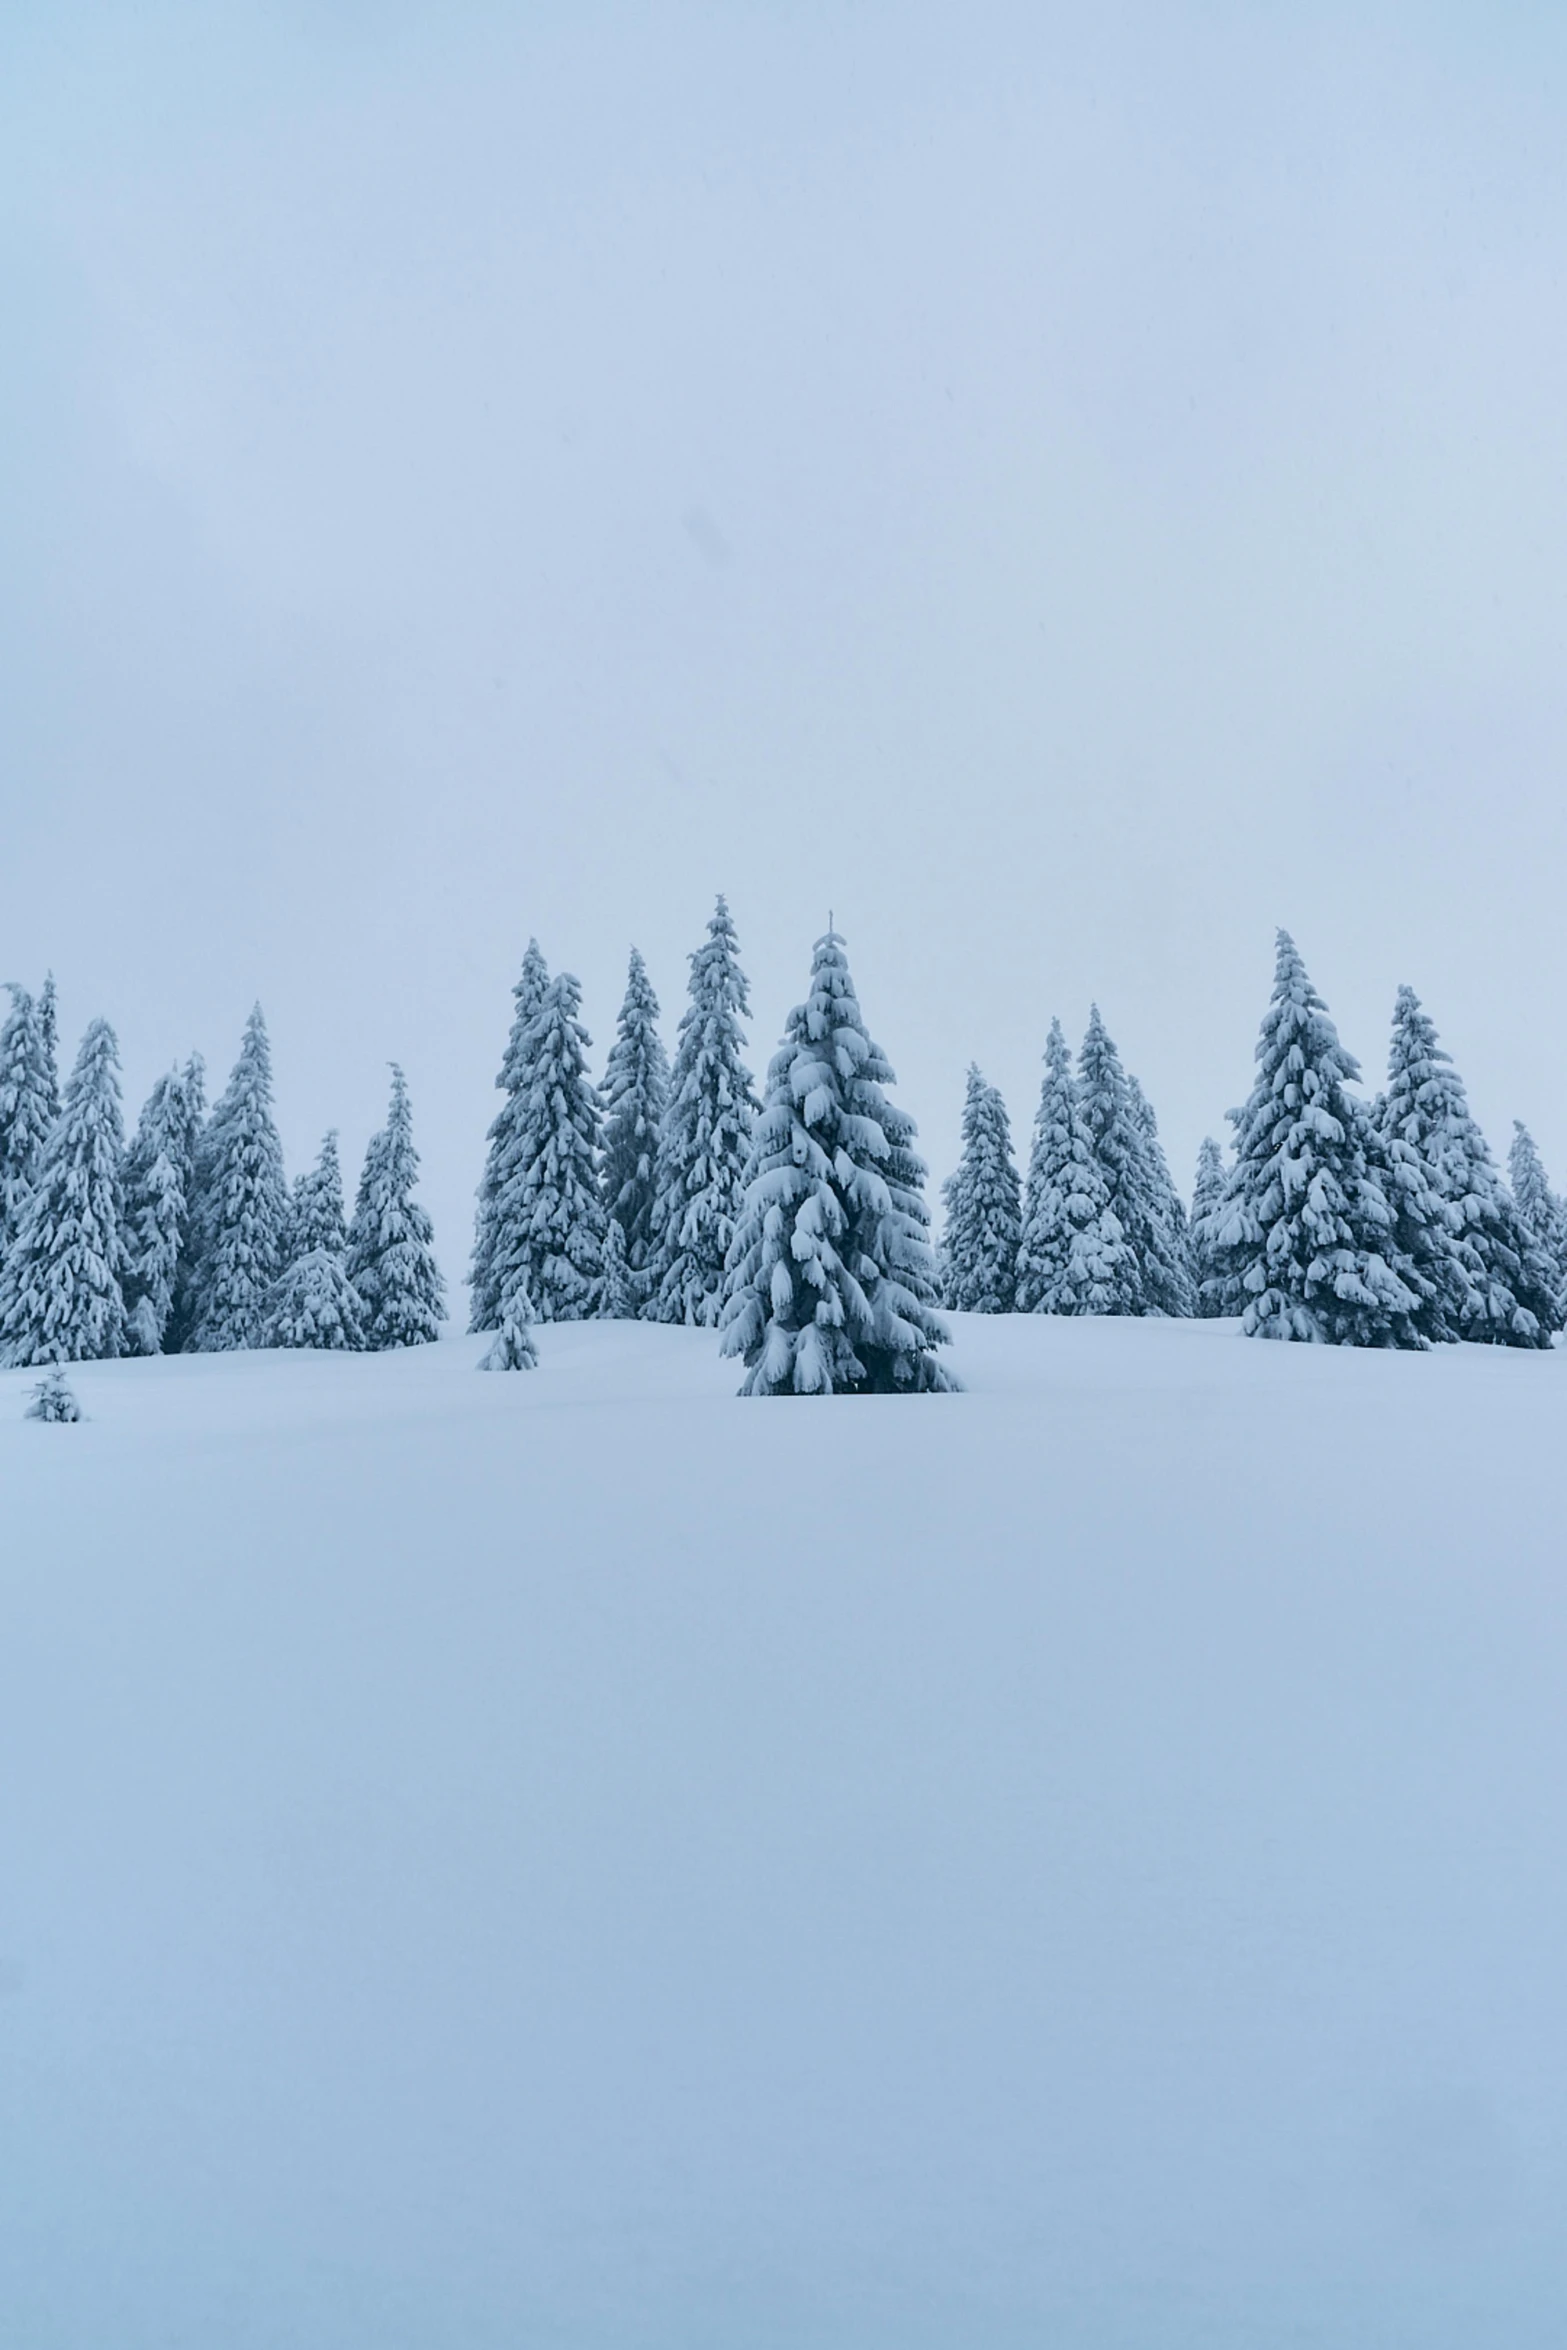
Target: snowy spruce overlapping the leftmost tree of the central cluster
x,y
551,1216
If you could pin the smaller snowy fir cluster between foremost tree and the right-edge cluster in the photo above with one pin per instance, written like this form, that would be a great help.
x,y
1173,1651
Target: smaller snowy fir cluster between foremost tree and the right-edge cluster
x,y
1098,1228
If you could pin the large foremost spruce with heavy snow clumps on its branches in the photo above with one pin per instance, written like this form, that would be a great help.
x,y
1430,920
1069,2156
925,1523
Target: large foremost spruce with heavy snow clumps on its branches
x,y
830,1273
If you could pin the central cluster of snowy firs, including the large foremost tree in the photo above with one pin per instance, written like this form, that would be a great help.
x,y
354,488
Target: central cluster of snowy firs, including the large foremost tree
x,y
671,1195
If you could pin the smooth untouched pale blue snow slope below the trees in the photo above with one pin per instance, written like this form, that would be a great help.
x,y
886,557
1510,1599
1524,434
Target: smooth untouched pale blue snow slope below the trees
x,y
577,1860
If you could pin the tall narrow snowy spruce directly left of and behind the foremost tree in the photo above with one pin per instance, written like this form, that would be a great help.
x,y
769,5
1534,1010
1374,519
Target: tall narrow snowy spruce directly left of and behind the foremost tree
x,y
706,1139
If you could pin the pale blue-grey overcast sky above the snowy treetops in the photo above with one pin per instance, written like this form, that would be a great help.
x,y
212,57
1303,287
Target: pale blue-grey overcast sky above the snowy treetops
x,y
1063,488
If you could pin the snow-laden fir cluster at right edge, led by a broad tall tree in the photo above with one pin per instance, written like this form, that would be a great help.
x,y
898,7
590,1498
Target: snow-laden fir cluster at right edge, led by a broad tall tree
x,y
1373,1223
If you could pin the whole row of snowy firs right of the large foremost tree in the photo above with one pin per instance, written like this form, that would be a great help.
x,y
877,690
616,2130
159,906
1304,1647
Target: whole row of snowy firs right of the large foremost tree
x,y
1359,1223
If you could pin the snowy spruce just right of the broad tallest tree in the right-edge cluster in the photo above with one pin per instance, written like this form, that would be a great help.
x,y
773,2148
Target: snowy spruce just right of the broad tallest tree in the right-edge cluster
x,y
1495,1284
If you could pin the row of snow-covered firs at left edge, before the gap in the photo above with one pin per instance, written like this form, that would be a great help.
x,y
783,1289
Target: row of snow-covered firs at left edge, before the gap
x,y
189,1240
